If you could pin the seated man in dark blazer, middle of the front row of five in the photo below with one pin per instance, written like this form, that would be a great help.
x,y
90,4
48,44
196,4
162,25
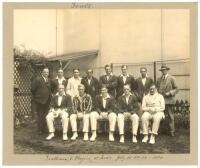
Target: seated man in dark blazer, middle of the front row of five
x,y
104,109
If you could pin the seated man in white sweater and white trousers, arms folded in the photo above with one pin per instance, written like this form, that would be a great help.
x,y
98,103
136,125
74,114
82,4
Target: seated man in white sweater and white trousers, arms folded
x,y
153,106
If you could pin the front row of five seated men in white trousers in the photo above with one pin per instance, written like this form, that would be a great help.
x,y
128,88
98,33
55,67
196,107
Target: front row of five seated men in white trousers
x,y
105,107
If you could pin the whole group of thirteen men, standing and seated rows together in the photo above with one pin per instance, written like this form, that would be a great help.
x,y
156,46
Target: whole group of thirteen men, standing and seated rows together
x,y
115,98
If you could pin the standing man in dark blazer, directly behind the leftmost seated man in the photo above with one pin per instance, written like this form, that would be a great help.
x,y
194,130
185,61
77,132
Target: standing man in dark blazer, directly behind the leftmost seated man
x,y
60,79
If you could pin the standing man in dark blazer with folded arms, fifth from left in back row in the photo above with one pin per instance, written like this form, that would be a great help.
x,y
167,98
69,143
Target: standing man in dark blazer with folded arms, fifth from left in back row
x,y
109,80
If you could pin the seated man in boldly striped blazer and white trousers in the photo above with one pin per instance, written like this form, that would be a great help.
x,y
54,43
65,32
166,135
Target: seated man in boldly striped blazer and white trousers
x,y
81,107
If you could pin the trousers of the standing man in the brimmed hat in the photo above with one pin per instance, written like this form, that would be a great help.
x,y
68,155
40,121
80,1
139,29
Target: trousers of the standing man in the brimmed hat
x,y
170,112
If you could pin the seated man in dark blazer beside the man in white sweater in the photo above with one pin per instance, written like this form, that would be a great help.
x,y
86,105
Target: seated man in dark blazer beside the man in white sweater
x,y
128,108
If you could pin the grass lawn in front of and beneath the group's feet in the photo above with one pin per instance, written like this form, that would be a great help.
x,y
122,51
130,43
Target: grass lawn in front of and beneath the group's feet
x,y
27,141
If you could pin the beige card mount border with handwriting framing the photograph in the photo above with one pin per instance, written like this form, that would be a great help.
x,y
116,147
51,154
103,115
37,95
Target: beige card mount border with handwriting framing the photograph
x,y
9,158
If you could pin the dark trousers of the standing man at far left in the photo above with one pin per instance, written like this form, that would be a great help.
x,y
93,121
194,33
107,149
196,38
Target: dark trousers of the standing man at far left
x,y
42,110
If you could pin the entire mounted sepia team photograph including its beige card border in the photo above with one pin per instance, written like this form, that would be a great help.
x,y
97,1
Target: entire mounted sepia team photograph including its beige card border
x,y
96,81
